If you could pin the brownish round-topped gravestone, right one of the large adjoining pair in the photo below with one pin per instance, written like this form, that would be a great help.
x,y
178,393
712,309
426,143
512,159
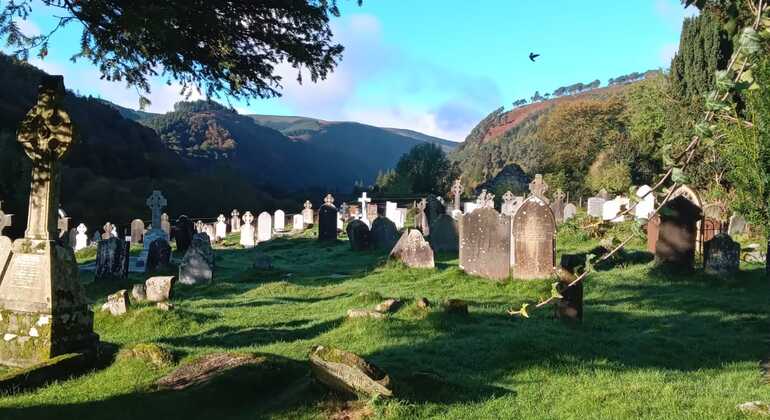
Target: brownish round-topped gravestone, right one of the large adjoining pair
x,y
534,240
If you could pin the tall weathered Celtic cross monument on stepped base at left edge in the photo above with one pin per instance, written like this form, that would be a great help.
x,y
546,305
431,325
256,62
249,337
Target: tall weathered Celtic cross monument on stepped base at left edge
x,y
43,308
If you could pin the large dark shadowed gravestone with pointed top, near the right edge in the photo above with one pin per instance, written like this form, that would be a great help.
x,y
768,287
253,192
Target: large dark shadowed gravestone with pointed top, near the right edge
x,y
678,234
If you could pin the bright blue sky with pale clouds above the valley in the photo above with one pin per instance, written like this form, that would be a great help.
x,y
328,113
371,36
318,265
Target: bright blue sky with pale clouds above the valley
x,y
437,67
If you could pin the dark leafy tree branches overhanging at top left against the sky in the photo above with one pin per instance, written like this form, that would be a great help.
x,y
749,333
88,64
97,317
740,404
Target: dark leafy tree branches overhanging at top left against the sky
x,y
215,46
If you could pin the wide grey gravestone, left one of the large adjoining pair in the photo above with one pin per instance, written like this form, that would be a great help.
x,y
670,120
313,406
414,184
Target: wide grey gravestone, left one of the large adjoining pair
x,y
485,244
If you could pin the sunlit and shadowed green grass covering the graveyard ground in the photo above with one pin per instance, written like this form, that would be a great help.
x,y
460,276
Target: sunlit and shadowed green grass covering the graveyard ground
x,y
651,346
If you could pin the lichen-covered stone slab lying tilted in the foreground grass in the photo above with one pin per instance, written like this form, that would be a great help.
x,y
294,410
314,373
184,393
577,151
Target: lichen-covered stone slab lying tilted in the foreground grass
x,y
348,373
